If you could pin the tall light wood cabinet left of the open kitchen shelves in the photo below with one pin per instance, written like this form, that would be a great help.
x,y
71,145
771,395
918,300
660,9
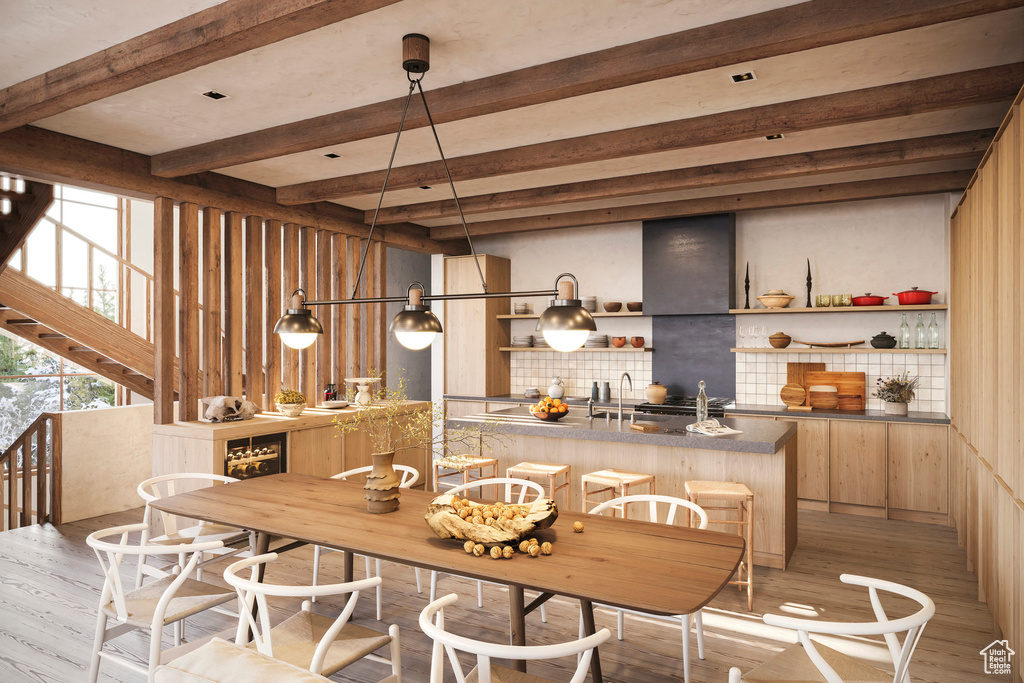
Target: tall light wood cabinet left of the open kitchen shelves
x,y
474,332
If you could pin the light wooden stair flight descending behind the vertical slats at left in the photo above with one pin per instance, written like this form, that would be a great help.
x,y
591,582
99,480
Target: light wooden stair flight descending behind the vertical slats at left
x,y
58,324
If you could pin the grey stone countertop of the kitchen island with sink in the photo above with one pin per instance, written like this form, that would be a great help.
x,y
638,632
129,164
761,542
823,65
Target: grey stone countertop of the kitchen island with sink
x,y
757,437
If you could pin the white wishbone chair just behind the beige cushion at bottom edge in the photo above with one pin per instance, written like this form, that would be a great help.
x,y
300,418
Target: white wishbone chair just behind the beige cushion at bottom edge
x,y
321,645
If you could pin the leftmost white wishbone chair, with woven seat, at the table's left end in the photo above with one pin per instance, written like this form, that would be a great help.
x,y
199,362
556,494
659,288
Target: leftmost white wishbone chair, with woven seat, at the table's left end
x,y
167,601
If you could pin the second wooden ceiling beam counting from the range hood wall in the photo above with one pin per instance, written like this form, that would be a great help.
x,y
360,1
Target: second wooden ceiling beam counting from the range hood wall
x,y
895,153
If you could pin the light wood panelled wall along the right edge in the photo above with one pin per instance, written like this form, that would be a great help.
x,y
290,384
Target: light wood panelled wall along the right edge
x,y
988,375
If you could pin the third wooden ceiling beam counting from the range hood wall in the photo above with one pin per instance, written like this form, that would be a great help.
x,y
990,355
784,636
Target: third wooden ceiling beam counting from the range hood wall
x,y
899,100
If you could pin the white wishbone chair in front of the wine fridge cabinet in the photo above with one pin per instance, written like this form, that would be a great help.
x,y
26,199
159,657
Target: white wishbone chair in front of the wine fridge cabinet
x,y
182,530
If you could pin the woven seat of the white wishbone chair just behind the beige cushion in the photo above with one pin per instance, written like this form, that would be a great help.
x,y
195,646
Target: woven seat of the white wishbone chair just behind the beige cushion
x,y
295,642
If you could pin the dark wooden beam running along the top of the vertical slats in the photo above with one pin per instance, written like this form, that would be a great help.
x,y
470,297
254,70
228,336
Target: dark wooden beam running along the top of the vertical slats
x,y
57,158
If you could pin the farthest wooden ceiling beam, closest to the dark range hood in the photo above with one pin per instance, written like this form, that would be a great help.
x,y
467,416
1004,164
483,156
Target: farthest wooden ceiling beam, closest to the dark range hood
x,y
847,192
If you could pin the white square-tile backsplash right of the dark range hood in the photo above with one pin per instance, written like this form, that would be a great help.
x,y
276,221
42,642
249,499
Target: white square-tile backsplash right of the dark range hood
x,y
760,377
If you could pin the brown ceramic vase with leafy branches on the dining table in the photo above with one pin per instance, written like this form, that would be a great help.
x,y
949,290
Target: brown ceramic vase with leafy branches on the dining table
x,y
392,428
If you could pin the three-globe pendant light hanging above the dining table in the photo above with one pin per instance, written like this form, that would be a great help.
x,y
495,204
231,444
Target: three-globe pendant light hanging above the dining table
x,y
566,326
